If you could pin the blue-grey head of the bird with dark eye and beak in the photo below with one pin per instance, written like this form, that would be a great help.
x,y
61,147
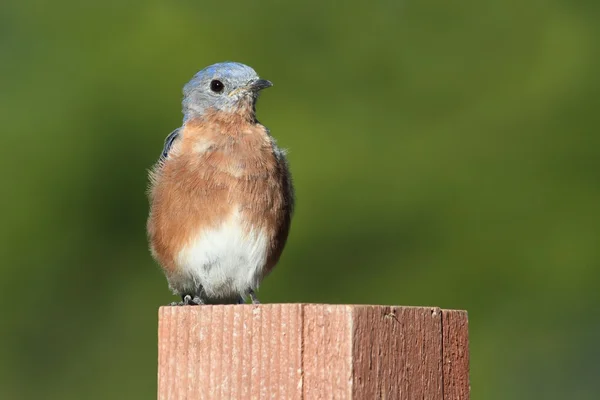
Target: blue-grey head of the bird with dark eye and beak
x,y
228,87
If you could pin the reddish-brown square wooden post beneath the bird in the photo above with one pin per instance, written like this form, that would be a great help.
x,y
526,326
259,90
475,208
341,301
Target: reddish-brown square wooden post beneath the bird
x,y
312,351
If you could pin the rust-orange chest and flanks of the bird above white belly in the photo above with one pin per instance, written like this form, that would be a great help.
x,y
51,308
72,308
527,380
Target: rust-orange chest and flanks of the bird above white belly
x,y
219,166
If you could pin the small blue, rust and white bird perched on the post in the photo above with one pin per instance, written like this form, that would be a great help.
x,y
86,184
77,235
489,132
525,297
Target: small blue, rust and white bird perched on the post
x,y
221,193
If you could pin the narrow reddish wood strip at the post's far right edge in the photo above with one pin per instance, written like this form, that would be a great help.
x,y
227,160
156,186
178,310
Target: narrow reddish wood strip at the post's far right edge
x,y
455,336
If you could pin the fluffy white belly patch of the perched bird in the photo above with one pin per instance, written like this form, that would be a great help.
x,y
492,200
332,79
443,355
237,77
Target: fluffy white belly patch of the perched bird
x,y
226,260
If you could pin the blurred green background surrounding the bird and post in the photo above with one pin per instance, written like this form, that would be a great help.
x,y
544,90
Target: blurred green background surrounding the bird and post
x,y
444,153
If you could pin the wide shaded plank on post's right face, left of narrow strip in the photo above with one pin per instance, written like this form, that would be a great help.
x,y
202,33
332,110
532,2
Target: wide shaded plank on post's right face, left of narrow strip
x,y
398,353
